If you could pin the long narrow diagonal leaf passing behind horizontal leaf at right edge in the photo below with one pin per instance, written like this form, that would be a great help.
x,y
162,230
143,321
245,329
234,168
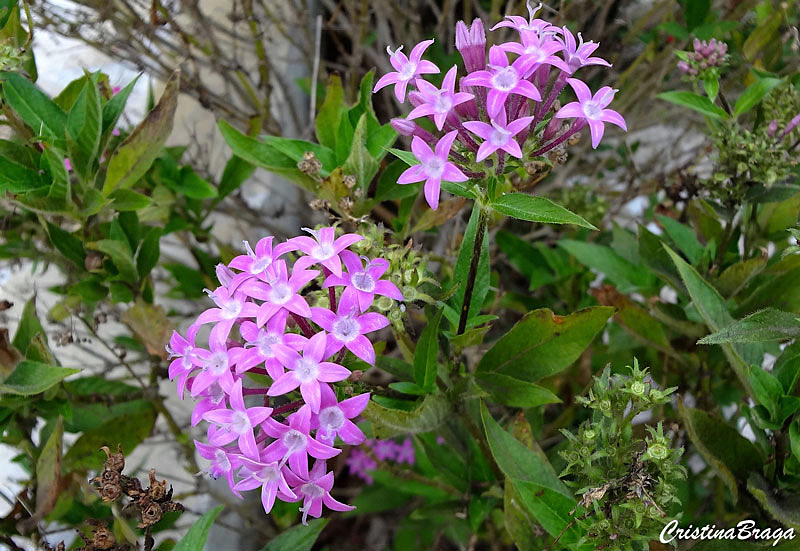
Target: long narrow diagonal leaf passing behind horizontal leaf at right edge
x,y
713,310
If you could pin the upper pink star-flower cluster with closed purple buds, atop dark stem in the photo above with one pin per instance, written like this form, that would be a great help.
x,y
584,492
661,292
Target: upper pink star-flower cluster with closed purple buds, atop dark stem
x,y
499,104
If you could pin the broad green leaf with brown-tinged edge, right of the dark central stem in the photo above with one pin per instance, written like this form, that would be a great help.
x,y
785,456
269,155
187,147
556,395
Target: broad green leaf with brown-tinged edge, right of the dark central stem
x,y
541,344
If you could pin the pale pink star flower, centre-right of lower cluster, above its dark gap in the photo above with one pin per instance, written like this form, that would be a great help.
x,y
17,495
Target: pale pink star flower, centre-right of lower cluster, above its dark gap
x,y
307,371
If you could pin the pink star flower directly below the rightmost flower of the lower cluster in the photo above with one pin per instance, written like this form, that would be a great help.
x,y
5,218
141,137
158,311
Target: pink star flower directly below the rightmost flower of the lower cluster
x,y
347,328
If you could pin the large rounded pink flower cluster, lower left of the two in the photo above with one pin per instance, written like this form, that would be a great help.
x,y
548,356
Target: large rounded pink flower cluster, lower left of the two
x,y
263,325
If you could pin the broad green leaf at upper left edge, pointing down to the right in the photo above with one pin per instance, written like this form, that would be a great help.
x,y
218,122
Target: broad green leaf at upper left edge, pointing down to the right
x,y
44,117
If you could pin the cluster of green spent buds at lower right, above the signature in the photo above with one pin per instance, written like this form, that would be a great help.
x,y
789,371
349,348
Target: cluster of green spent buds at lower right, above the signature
x,y
627,482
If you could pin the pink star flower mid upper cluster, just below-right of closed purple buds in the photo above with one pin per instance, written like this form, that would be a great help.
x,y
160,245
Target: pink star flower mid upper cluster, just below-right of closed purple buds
x,y
503,80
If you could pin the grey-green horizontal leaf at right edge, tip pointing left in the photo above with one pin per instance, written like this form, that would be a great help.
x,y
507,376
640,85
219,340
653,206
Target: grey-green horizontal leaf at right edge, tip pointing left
x,y
765,325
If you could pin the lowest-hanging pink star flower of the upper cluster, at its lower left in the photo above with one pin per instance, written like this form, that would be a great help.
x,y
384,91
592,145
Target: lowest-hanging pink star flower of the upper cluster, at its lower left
x,y
433,168
